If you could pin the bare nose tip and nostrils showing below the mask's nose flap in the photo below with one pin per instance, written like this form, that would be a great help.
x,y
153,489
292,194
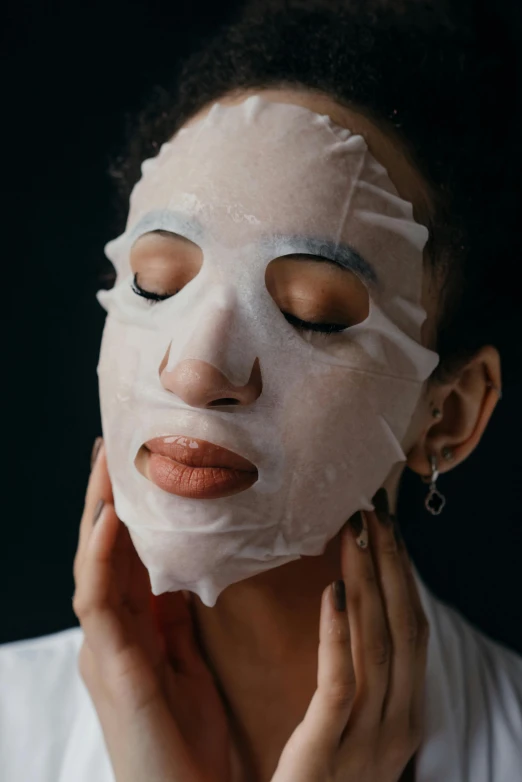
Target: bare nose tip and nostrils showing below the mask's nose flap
x,y
200,384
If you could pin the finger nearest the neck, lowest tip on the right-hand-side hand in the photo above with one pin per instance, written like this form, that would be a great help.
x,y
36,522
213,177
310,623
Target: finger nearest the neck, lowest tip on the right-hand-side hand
x,y
332,702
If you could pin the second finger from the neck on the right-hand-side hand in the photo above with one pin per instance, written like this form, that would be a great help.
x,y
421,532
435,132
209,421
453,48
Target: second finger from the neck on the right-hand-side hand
x,y
368,627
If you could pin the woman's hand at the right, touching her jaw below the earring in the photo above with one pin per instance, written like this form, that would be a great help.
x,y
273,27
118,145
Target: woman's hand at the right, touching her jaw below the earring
x,y
364,721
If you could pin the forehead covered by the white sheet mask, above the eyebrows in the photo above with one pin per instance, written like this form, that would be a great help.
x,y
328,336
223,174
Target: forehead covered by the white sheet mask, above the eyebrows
x,y
260,169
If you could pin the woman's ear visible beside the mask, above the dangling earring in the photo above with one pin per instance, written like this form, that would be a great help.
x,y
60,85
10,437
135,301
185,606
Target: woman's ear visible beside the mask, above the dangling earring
x,y
466,404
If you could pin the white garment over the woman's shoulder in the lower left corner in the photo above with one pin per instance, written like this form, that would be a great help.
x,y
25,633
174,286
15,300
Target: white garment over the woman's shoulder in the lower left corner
x,y
44,710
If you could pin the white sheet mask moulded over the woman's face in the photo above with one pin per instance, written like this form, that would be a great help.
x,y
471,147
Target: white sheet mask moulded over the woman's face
x,y
250,183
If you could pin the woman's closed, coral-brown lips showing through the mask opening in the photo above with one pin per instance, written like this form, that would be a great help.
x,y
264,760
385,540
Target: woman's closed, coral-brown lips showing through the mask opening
x,y
195,468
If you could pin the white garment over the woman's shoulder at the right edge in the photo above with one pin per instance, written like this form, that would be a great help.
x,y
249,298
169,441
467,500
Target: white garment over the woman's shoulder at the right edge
x,y
473,700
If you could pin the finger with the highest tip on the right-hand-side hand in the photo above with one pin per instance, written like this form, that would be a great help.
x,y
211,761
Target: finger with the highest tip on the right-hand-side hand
x,y
400,613
